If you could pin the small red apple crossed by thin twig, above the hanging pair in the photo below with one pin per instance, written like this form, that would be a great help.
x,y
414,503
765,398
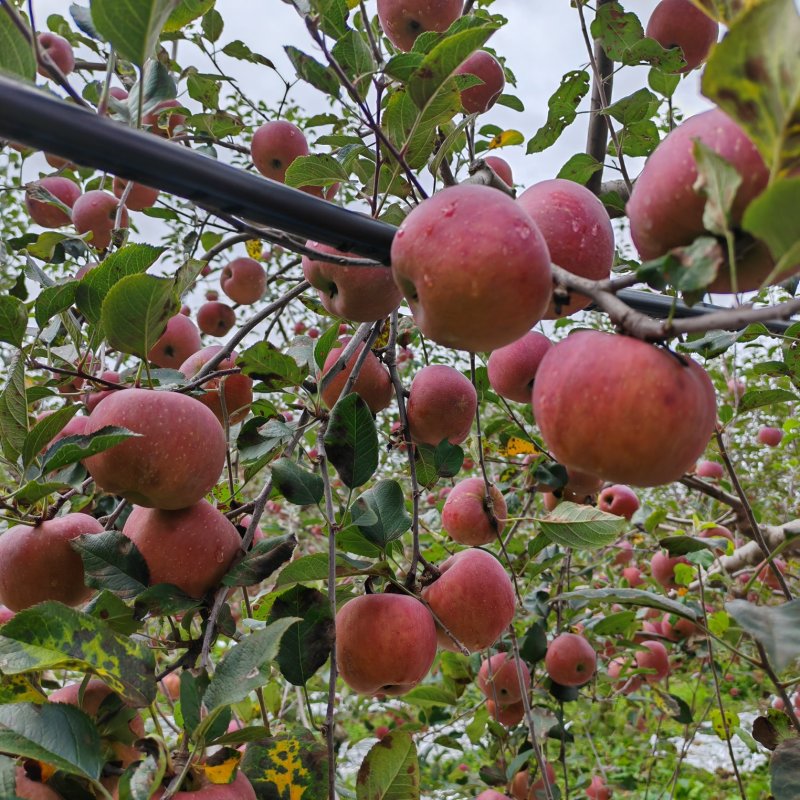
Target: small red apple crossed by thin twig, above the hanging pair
x,y
465,515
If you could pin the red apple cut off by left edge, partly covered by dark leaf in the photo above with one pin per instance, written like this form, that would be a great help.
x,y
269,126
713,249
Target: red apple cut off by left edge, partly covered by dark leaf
x,y
37,563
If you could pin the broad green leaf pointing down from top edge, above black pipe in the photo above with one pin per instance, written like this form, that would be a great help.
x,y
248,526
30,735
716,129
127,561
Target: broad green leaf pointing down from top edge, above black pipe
x,y
132,27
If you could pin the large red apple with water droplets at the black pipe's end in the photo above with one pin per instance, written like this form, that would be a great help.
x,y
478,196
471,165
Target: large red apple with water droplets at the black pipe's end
x,y
473,267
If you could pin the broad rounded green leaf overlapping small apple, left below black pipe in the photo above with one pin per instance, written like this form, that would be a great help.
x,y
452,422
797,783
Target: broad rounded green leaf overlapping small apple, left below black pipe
x,y
136,311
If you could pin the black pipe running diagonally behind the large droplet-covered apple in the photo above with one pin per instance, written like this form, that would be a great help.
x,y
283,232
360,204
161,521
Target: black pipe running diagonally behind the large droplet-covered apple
x,y
33,118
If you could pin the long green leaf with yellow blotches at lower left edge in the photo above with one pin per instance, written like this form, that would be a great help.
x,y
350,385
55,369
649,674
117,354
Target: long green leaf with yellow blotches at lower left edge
x,y
52,636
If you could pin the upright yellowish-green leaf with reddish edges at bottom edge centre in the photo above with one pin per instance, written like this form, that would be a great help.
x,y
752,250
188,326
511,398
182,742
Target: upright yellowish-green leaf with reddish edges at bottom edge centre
x,y
390,771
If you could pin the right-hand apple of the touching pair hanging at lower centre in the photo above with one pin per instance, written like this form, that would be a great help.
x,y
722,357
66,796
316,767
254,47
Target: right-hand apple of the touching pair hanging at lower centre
x,y
473,597
